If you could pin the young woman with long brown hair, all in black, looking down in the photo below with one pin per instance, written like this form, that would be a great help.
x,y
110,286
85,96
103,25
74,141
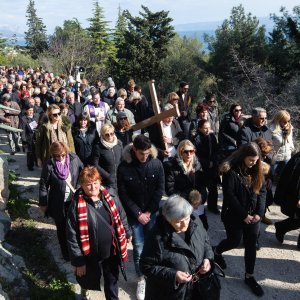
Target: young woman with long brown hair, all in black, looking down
x,y
244,198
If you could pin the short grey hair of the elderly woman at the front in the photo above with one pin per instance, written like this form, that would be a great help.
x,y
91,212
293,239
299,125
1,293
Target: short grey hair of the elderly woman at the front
x,y
176,208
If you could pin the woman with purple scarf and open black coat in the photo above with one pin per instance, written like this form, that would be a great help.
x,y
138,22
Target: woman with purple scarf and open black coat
x,y
59,178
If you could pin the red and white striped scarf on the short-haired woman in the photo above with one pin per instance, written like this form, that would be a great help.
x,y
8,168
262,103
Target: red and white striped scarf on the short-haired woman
x,y
83,224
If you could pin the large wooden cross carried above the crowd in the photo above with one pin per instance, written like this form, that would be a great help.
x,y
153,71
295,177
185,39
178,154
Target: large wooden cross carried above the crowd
x,y
158,115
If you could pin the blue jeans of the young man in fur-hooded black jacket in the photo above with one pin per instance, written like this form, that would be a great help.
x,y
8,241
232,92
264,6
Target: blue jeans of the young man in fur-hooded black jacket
x,y
139,231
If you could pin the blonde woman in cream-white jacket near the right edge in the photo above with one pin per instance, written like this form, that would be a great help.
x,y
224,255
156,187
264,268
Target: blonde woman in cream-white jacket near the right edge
x,y
282,137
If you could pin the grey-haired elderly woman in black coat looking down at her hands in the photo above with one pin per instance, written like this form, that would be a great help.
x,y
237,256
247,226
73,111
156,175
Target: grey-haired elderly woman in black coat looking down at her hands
x,y
176,246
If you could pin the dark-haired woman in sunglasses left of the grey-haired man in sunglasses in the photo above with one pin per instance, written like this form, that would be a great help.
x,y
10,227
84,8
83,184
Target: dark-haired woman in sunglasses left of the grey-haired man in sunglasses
x,y
230,125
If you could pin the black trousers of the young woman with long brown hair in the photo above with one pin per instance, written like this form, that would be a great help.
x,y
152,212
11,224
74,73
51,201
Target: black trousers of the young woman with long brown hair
x,y
235,232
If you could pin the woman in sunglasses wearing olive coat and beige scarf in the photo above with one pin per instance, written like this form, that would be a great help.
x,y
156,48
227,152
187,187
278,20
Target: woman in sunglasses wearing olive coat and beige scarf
x,y
54,129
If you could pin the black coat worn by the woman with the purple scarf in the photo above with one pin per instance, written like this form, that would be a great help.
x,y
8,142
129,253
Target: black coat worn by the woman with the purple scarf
x,y
52,188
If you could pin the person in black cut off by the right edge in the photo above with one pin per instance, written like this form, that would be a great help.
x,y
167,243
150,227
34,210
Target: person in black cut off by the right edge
x,y
287,195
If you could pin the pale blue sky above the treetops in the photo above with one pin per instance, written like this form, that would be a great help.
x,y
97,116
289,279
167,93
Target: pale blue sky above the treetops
x,y
54,12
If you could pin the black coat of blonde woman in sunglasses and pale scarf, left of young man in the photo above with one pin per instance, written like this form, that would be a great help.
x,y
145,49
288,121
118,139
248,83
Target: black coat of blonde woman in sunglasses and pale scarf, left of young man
x,y
107,161
